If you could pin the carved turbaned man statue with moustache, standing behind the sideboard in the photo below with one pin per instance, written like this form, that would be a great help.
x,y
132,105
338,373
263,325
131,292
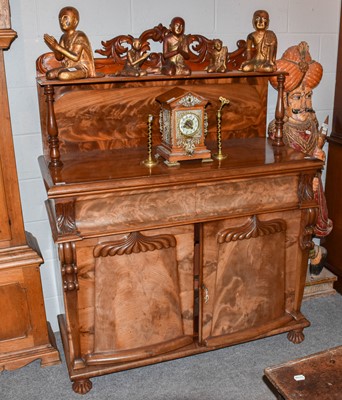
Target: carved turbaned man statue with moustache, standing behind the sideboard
x,y
301,131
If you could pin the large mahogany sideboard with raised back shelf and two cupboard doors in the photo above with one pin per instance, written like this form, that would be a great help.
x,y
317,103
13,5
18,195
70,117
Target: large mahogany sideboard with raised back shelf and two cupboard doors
x,y
164,262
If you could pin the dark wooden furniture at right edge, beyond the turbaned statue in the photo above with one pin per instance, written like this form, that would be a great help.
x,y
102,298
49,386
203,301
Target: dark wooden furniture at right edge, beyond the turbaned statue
x,y
334,178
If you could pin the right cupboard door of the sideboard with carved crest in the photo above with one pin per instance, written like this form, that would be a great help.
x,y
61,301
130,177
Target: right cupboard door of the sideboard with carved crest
x,y
243,283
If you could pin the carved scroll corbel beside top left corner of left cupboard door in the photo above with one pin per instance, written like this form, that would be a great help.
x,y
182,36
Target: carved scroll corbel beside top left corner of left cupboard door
x,y
67,257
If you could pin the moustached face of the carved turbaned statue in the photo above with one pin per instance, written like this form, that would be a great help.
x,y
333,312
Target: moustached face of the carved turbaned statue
x,y
299,104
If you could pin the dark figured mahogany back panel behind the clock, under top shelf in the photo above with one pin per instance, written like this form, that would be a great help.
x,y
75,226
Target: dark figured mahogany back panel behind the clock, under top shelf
x,y
113,115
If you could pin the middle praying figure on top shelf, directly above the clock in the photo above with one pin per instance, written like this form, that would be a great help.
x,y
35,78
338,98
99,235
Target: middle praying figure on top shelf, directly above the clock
x,y
176,49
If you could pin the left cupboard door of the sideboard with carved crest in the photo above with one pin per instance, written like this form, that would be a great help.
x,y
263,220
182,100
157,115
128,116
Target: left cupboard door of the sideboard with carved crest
x,y
141,287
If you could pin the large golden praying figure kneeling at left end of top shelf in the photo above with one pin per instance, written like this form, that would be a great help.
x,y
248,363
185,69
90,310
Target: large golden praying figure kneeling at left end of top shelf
x,y
73,50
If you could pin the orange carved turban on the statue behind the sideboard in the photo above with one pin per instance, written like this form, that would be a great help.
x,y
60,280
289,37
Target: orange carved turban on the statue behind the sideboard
x,y
297,62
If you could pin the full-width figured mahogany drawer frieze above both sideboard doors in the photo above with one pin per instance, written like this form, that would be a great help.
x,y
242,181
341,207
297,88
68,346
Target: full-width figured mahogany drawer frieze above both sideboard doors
x,y
156,207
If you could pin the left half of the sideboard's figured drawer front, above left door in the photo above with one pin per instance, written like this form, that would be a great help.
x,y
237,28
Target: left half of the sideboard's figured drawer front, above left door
x,y
140,208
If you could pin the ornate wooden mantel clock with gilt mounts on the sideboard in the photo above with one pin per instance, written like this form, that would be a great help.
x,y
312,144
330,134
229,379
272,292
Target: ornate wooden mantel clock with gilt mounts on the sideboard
x,y
183,125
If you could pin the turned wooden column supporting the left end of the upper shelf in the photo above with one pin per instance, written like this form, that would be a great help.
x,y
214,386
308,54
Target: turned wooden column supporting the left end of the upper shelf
x,y
52,128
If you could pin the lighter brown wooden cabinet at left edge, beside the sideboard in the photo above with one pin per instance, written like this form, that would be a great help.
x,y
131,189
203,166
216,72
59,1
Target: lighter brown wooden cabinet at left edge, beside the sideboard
x,y
25,335
